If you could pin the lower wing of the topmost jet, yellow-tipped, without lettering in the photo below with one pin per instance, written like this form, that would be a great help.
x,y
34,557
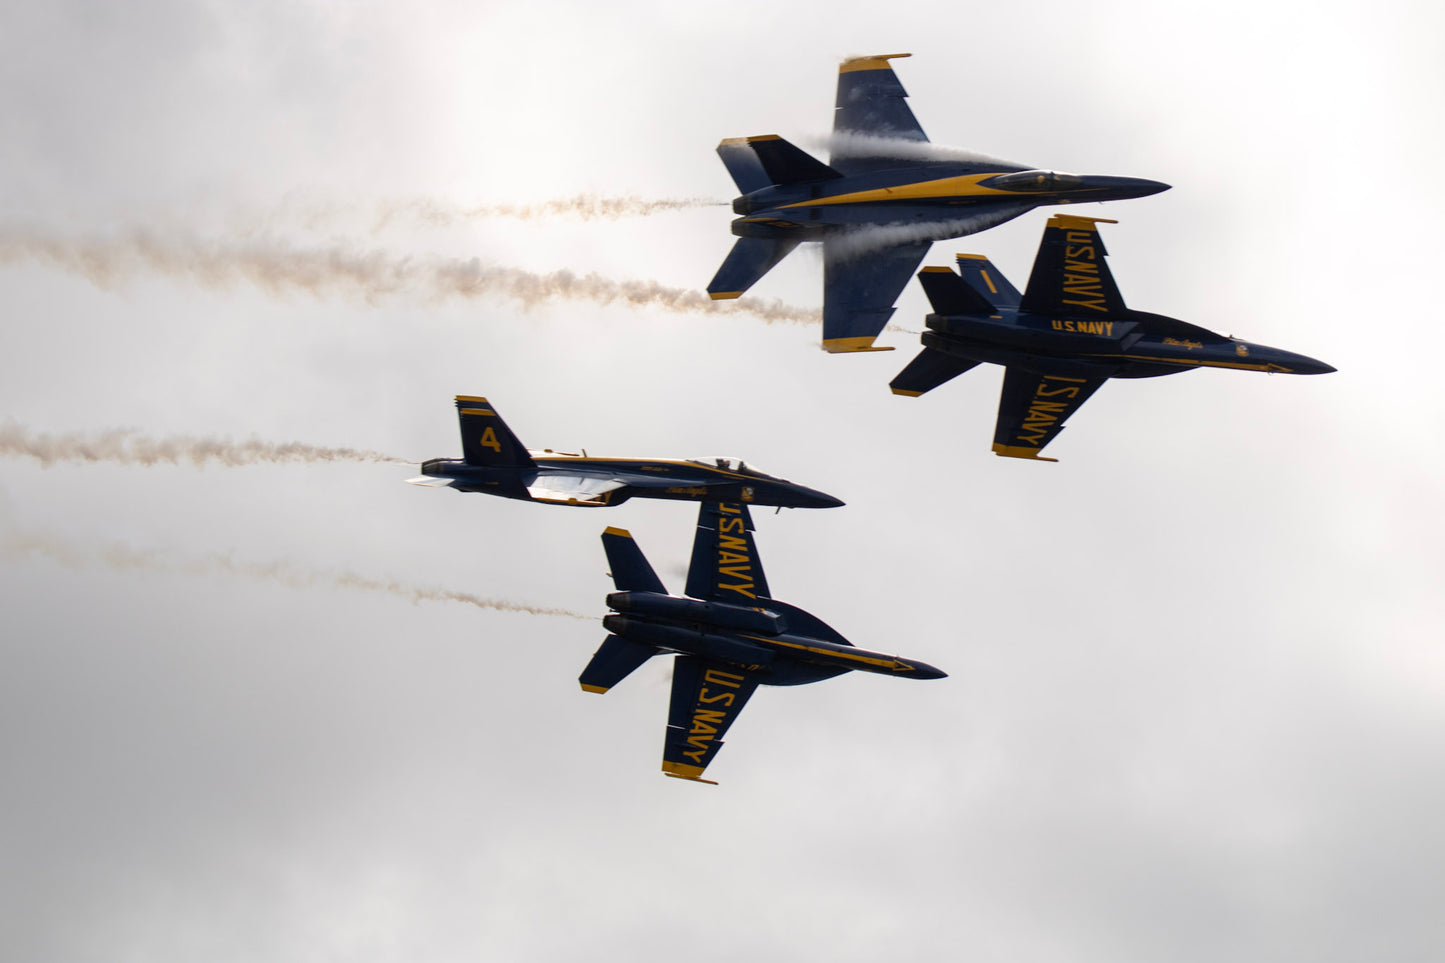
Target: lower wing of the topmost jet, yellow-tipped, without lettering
x,y
859,291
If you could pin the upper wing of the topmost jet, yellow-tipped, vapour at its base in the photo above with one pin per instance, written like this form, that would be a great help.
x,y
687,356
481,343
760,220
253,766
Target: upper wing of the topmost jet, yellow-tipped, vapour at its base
x,y
872,109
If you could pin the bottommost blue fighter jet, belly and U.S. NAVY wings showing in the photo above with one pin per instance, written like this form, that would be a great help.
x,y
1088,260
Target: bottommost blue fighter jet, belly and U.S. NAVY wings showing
x,y
729,635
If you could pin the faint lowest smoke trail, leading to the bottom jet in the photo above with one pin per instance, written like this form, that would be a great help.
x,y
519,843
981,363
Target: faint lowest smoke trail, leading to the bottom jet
x,y
118,557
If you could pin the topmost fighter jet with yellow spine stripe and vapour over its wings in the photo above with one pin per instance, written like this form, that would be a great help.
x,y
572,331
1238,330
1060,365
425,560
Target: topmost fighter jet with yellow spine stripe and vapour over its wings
x,y
881,202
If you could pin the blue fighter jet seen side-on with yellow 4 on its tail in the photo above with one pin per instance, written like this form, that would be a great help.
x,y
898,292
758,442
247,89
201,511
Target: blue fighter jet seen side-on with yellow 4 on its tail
x,y
495,463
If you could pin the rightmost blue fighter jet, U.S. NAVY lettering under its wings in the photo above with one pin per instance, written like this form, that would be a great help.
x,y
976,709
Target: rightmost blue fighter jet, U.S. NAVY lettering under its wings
x,y
1066,336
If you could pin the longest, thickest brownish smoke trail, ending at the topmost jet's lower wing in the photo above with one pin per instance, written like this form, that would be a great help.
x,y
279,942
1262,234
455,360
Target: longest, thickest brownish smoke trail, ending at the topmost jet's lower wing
x,y
280,271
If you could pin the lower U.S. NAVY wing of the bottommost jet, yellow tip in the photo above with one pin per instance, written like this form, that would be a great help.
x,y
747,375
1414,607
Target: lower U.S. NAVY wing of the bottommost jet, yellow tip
x,y
707,698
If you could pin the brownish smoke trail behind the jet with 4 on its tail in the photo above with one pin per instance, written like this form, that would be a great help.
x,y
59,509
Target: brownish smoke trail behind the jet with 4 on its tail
x,y
125,446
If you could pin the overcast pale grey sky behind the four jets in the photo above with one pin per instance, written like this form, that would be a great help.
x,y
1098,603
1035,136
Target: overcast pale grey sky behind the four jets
x,y
1196,689
